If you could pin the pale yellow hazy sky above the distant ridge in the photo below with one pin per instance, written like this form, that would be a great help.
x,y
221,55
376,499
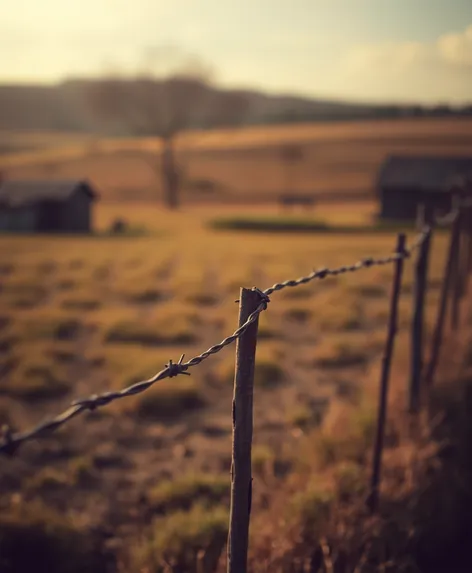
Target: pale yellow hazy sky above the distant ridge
x,y
417,51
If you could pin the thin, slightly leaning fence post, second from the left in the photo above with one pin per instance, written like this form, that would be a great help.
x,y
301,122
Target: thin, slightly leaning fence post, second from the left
x,y
384,380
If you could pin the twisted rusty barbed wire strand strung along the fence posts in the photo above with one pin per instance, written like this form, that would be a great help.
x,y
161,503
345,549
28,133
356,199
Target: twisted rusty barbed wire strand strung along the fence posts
x,y
10,442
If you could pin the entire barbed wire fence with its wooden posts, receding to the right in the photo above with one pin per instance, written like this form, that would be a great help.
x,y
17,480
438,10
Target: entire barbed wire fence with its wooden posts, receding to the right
x,y
254,301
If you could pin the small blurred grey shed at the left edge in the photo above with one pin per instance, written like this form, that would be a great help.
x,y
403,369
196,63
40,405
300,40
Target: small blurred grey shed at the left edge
x,y
46,206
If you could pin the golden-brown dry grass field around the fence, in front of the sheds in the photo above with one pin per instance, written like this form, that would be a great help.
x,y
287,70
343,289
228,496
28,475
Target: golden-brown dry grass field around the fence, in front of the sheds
x,y
145,480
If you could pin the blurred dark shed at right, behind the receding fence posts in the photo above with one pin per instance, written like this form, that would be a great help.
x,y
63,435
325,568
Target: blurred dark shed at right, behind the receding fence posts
x,y
404,182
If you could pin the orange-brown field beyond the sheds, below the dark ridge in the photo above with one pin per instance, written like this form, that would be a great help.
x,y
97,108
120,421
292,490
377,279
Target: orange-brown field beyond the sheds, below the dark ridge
x,y
237,166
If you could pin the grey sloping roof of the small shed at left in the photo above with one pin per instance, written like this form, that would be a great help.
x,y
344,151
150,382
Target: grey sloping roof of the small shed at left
x,y
18,193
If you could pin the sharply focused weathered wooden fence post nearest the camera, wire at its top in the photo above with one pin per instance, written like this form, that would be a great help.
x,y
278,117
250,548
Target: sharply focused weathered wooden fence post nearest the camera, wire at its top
x,y
241,475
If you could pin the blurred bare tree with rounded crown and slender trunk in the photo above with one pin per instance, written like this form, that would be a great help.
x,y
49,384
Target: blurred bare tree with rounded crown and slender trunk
x,y
150,105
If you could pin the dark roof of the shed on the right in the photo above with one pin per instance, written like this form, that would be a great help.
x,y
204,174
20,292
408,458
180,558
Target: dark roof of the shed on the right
x,y
432,173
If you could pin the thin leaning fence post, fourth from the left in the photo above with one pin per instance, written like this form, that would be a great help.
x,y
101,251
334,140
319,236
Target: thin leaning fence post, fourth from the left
x,y
442,309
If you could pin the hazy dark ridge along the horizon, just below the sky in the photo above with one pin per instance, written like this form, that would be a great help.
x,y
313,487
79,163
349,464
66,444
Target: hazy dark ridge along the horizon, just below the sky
x,y
64,107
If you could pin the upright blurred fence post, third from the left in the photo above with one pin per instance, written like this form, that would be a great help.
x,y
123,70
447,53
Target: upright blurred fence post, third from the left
x,y
420,287
